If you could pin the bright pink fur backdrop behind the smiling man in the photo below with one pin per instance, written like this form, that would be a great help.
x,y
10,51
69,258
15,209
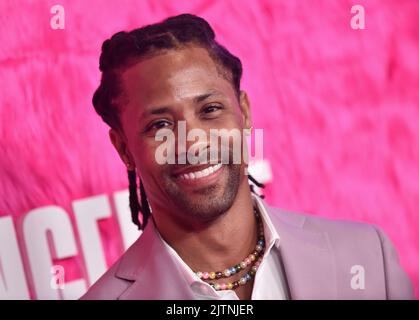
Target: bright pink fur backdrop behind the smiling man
x,y
339,108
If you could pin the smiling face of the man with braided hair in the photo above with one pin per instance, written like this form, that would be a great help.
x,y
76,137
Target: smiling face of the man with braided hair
x,y
182,85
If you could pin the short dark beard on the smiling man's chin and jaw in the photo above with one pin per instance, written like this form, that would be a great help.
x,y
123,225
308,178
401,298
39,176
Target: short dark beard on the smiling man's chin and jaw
x,y
212,204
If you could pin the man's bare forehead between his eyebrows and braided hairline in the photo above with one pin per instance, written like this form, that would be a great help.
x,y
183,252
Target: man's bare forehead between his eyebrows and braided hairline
x,y
172,76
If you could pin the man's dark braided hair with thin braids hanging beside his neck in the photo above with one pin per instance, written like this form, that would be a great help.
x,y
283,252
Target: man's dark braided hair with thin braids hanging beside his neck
x,y
124,49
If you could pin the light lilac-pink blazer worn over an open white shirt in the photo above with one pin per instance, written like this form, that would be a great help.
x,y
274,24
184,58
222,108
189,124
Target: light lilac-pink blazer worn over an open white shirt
x,y
317,256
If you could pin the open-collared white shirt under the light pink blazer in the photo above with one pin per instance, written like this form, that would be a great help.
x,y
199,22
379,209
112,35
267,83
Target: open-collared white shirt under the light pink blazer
x,y
269,281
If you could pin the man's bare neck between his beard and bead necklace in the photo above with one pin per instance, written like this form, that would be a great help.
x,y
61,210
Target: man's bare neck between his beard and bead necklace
x,y
216,245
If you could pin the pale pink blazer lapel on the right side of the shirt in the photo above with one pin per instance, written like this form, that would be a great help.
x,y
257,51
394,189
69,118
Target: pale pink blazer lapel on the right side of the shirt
x,y
307,258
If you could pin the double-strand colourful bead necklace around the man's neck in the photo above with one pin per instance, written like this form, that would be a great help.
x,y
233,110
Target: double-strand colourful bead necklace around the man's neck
x,y
253,260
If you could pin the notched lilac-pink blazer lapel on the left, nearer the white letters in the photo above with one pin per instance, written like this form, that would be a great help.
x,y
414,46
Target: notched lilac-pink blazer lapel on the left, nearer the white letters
x,y
152,270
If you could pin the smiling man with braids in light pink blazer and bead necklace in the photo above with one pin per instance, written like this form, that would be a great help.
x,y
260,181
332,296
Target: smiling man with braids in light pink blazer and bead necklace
x,y
209,236
